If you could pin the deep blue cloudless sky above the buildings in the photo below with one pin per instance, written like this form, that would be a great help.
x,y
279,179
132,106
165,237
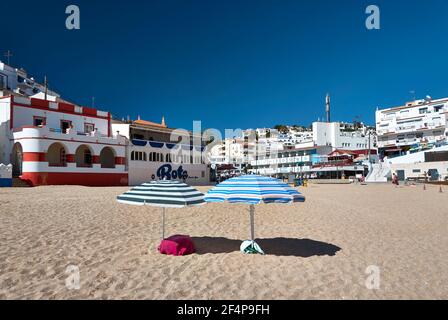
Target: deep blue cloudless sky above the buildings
x,y
233,64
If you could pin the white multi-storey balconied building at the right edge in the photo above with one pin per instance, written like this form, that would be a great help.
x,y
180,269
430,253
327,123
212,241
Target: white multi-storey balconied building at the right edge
x,y
412,141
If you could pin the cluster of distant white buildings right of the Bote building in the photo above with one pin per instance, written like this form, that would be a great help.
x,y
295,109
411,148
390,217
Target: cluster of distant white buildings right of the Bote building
x,y
299,151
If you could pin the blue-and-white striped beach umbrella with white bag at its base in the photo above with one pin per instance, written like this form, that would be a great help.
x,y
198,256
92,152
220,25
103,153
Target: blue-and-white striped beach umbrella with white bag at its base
x,y
252,190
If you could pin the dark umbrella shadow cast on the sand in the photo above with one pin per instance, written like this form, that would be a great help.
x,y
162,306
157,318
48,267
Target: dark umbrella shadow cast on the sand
x,y
277,246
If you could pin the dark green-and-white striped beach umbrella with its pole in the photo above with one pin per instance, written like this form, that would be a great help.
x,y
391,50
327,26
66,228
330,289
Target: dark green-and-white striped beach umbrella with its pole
x,y
164,194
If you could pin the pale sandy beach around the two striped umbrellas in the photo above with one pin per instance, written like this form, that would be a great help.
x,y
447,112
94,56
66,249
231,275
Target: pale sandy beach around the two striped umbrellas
x,y
319,249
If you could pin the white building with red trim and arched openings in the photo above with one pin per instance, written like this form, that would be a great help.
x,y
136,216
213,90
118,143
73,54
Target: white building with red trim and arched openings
x,y
58,143
